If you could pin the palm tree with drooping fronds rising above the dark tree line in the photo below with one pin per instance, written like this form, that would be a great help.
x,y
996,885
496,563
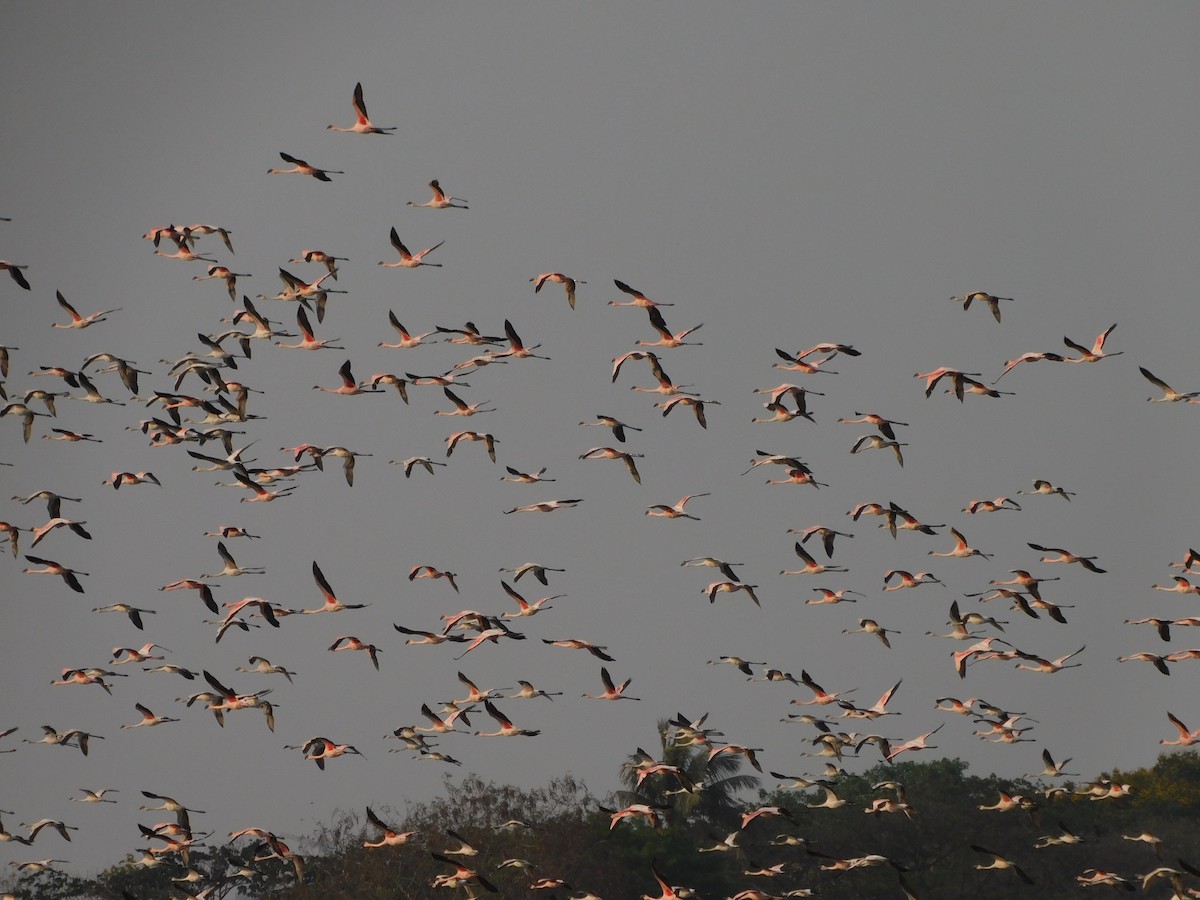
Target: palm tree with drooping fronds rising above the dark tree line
x,y
707,791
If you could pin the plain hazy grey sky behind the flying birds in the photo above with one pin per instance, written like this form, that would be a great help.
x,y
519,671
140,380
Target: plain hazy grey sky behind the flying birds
x,y
785,175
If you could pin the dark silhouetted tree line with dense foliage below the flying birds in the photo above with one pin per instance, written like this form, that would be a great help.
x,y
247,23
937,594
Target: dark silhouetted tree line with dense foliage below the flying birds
x,y
921,842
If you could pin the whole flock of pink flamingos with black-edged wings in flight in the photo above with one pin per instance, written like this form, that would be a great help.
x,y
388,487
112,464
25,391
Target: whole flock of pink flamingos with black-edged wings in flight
x,y
201,406
